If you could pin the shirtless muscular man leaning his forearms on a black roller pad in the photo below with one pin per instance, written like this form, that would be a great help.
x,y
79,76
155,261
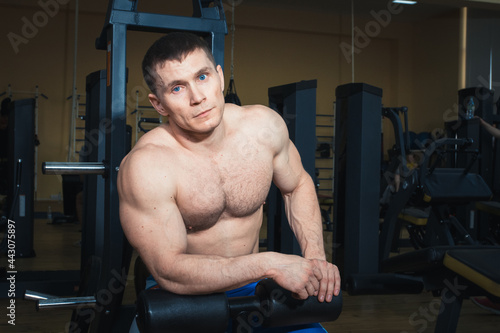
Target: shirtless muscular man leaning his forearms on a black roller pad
x,y
192,190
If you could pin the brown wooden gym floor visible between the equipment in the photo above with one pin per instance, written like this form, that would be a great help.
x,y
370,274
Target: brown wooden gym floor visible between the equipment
x,y
56,248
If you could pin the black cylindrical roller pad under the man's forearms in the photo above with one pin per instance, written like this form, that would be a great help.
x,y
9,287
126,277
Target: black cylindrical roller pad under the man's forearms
x,y
272,306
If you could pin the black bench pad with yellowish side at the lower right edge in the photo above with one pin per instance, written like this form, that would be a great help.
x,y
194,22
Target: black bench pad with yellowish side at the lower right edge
x,y
480,266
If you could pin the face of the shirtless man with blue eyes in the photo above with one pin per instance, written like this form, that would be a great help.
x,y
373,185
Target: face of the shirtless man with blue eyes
x,y
190,93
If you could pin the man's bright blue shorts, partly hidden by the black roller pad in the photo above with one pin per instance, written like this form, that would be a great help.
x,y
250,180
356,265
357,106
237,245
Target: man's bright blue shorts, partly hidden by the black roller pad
x,y
248,290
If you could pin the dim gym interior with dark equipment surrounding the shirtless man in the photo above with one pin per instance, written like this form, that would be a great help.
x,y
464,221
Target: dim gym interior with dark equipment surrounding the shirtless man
x,y
392,106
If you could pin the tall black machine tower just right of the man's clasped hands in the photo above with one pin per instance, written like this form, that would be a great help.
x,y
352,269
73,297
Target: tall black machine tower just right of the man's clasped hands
x,y
357,175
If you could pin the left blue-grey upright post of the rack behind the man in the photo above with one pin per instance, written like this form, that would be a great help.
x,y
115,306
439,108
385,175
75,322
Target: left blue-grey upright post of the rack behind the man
x,y
114,268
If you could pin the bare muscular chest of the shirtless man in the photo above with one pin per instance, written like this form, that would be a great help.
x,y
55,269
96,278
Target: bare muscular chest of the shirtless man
x,y
227,187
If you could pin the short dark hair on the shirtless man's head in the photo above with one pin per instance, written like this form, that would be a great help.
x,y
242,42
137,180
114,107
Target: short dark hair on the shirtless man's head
x,y
173,46
